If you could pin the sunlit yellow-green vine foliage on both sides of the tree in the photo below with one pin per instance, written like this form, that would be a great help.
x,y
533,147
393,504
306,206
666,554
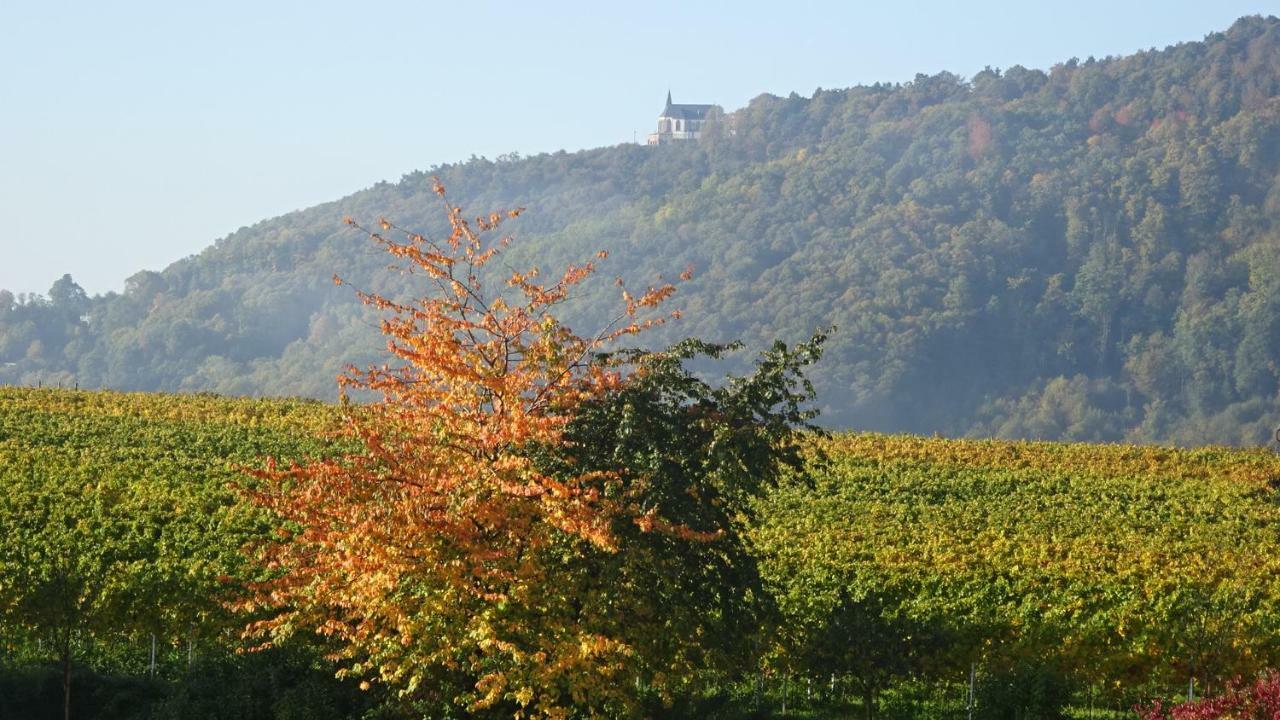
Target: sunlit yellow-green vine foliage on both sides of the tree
x,y
1119,564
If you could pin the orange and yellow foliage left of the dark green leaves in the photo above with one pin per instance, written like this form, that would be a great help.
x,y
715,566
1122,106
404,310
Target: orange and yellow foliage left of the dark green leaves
x,y
419,557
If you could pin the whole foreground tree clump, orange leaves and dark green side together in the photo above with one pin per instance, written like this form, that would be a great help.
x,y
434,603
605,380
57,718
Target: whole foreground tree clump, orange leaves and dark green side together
x,y
515,537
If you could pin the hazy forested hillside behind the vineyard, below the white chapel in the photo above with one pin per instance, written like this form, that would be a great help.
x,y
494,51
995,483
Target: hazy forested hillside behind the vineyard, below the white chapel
x,y
1089,253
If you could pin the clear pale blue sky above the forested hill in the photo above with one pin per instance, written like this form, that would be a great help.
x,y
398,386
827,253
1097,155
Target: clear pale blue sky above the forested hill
x,y
136,134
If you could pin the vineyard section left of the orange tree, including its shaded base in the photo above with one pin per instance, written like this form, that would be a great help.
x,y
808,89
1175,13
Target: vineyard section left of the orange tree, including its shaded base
x,y
121,532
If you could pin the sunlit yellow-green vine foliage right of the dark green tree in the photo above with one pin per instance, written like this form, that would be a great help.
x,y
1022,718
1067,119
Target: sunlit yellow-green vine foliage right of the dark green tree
x,y
1119,564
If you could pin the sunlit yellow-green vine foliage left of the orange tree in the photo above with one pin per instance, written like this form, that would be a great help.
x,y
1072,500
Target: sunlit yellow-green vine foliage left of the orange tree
x,y
118,512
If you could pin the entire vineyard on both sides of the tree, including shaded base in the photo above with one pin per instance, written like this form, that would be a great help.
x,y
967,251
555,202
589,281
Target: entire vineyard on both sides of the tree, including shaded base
x,y
1039,573
